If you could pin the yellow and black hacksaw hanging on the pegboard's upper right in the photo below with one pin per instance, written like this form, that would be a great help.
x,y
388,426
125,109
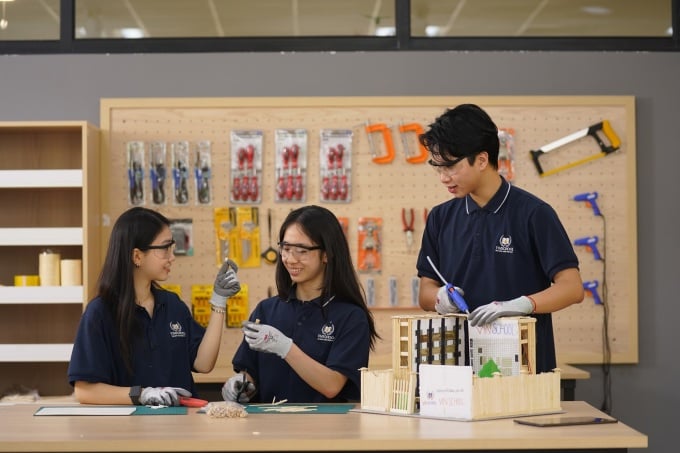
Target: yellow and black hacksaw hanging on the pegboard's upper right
x,y
604,127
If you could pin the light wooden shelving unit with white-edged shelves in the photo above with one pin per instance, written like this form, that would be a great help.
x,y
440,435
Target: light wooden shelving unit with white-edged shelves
x,y
49,190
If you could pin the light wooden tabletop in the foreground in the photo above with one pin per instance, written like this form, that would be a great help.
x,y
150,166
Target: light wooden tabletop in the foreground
x,y
21,431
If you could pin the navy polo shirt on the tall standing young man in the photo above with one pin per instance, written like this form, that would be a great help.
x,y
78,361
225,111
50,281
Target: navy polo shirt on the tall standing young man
x,y
511,247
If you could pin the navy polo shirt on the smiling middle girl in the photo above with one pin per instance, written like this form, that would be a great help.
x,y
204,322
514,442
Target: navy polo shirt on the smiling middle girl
x,y
336,335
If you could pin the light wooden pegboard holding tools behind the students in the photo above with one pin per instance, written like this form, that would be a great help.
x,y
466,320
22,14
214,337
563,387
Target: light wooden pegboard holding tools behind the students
x,y
383,190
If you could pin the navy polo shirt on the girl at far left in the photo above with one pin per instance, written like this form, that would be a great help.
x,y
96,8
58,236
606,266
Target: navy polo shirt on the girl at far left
x,y
163,355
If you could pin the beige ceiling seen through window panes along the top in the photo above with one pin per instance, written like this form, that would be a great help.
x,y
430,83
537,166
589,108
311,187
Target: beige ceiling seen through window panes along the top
x,y
39,19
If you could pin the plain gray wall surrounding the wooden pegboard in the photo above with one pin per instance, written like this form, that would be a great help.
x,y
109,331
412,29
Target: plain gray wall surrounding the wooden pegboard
x,y
646,395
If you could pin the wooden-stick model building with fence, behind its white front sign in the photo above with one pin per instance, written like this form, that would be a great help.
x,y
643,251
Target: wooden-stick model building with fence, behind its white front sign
x,y
449,341
